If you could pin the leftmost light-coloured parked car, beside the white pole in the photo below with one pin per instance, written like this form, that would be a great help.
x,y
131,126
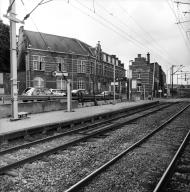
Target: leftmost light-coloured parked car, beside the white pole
x,y
34,91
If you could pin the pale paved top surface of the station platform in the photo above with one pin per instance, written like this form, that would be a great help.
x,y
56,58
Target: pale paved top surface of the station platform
x,y
34,120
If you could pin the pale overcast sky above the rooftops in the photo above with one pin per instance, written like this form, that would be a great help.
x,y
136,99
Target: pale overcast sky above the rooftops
x,y
124,28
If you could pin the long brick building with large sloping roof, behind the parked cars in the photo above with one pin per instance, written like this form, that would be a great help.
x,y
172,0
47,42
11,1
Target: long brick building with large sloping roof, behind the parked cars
x,y
40,54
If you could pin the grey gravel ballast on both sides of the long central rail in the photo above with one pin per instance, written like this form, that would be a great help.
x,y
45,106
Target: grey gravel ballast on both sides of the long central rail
x,y
59,171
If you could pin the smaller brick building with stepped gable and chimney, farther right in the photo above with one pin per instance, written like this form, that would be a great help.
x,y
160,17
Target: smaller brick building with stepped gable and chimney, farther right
x,y
148,78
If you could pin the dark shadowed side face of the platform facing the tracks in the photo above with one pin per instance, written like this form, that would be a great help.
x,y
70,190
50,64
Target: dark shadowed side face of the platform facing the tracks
x,y
52,128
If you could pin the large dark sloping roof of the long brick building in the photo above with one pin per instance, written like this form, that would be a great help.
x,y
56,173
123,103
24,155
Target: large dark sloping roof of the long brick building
x,y
56,43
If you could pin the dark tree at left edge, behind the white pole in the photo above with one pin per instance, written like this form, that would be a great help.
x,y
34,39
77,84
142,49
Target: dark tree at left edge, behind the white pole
x,y
4,48
